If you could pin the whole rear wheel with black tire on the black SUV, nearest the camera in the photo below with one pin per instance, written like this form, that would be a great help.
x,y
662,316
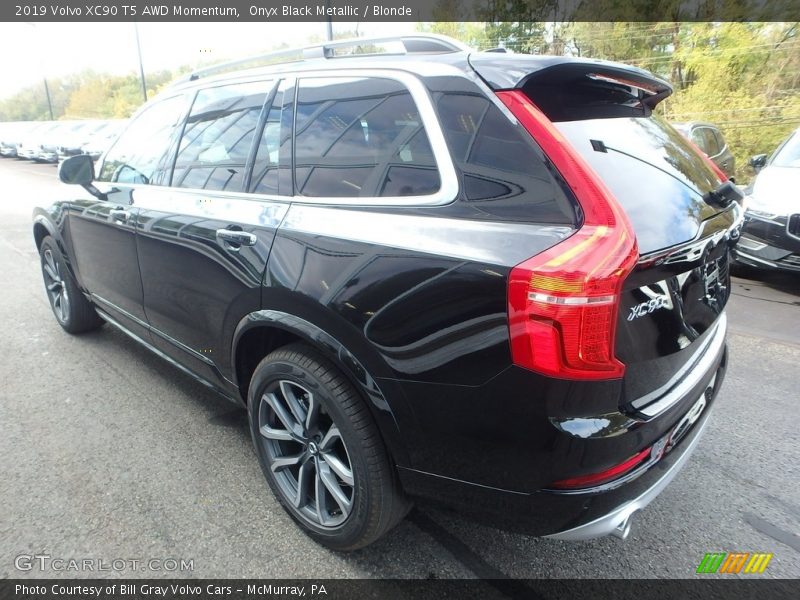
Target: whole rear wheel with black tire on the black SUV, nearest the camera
x,y
321,451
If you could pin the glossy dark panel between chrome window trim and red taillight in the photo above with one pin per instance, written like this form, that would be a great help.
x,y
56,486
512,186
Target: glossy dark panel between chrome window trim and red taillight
x,y
500,162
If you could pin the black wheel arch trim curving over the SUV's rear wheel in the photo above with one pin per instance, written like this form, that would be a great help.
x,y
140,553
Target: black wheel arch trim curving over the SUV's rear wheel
x,y
265,330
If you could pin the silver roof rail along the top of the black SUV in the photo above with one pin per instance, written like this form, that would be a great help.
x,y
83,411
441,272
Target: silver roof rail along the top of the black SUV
x,y
422,43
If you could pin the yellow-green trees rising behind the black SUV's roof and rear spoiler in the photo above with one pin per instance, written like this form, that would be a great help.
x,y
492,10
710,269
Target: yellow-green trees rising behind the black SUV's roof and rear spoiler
x,y
742,76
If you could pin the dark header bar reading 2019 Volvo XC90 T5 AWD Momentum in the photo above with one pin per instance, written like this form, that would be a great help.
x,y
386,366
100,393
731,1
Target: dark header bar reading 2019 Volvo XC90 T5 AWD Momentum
x,y
397,10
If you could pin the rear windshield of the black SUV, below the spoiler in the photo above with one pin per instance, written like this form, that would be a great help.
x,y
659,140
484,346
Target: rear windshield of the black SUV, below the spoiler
x,y
652,170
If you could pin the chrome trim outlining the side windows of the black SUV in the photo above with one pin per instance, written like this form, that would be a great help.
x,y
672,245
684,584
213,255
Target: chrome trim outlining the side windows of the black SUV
x,y
448,190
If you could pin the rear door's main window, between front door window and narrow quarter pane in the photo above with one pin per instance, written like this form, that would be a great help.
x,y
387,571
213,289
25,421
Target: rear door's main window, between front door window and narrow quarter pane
x,y
219,133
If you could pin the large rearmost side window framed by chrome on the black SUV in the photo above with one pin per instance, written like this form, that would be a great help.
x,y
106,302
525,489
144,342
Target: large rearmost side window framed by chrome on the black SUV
x,y
359,137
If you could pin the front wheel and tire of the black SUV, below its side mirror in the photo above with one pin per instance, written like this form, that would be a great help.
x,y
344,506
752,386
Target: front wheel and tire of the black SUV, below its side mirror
x,y
72,310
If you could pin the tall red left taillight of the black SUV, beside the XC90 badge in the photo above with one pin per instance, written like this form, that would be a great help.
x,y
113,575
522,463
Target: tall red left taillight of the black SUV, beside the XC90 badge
x,y
563,303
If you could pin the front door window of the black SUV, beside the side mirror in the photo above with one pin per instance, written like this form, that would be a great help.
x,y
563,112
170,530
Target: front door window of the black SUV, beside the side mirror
x,y
143,152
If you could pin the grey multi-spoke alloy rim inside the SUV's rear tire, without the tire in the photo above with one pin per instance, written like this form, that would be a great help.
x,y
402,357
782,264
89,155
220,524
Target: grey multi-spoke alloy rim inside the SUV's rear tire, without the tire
x,y
306,454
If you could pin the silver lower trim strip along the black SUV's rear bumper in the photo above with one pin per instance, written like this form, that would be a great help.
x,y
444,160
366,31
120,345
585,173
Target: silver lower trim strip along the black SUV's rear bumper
x,y
618,521
